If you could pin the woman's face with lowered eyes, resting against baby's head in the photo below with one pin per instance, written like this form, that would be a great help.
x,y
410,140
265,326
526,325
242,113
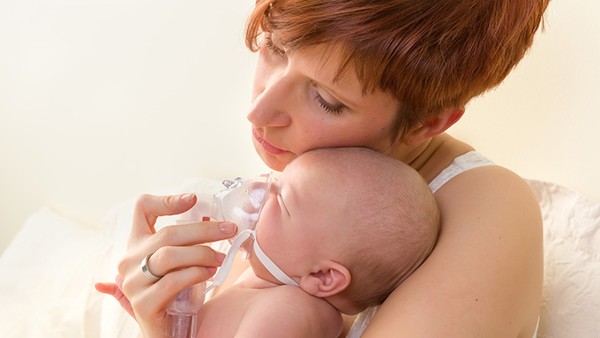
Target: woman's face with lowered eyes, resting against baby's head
x,y
297,105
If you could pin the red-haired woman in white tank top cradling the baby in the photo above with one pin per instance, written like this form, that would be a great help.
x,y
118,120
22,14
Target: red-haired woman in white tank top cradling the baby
x,y
392,76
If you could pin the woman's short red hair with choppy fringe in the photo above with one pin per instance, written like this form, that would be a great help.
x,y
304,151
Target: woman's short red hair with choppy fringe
x,y
429,54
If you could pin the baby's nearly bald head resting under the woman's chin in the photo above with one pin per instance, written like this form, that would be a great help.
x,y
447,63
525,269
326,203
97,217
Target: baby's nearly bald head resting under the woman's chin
x,y
348,224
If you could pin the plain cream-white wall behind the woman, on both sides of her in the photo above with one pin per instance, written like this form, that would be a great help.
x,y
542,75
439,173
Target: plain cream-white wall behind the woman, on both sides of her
x,y
103,100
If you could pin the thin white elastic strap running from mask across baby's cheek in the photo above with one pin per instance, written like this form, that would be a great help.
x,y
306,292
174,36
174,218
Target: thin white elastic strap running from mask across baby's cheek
x,y
221,275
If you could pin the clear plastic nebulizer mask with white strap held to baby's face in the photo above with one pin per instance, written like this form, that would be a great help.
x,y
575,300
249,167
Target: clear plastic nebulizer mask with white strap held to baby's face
x,y
239,202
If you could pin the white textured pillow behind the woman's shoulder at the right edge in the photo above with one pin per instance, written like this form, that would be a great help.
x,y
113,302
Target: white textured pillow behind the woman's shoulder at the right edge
x,y
571,295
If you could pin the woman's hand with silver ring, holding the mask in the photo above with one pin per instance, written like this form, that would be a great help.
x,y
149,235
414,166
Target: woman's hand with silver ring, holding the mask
x,y
176,257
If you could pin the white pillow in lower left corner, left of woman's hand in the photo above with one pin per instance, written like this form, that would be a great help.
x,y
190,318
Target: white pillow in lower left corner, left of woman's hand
x,y
47,277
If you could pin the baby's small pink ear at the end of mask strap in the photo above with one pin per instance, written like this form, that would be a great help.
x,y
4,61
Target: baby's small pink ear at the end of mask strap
x,y
330,278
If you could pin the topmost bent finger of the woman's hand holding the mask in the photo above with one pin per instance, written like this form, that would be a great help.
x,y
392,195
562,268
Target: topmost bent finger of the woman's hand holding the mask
x,y
149,207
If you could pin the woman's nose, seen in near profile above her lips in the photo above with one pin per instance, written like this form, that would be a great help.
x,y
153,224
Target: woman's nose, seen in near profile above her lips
x,y
272,104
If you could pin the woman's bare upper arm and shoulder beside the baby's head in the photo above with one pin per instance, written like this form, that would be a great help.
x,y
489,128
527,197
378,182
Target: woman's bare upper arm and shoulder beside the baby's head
x,y
484,277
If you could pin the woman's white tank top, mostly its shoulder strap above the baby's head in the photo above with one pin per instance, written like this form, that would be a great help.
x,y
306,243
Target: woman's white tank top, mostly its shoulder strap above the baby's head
x,y
467,161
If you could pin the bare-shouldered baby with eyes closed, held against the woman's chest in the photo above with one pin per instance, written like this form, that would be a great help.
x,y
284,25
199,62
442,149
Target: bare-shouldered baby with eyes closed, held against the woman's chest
x,y
345,226
